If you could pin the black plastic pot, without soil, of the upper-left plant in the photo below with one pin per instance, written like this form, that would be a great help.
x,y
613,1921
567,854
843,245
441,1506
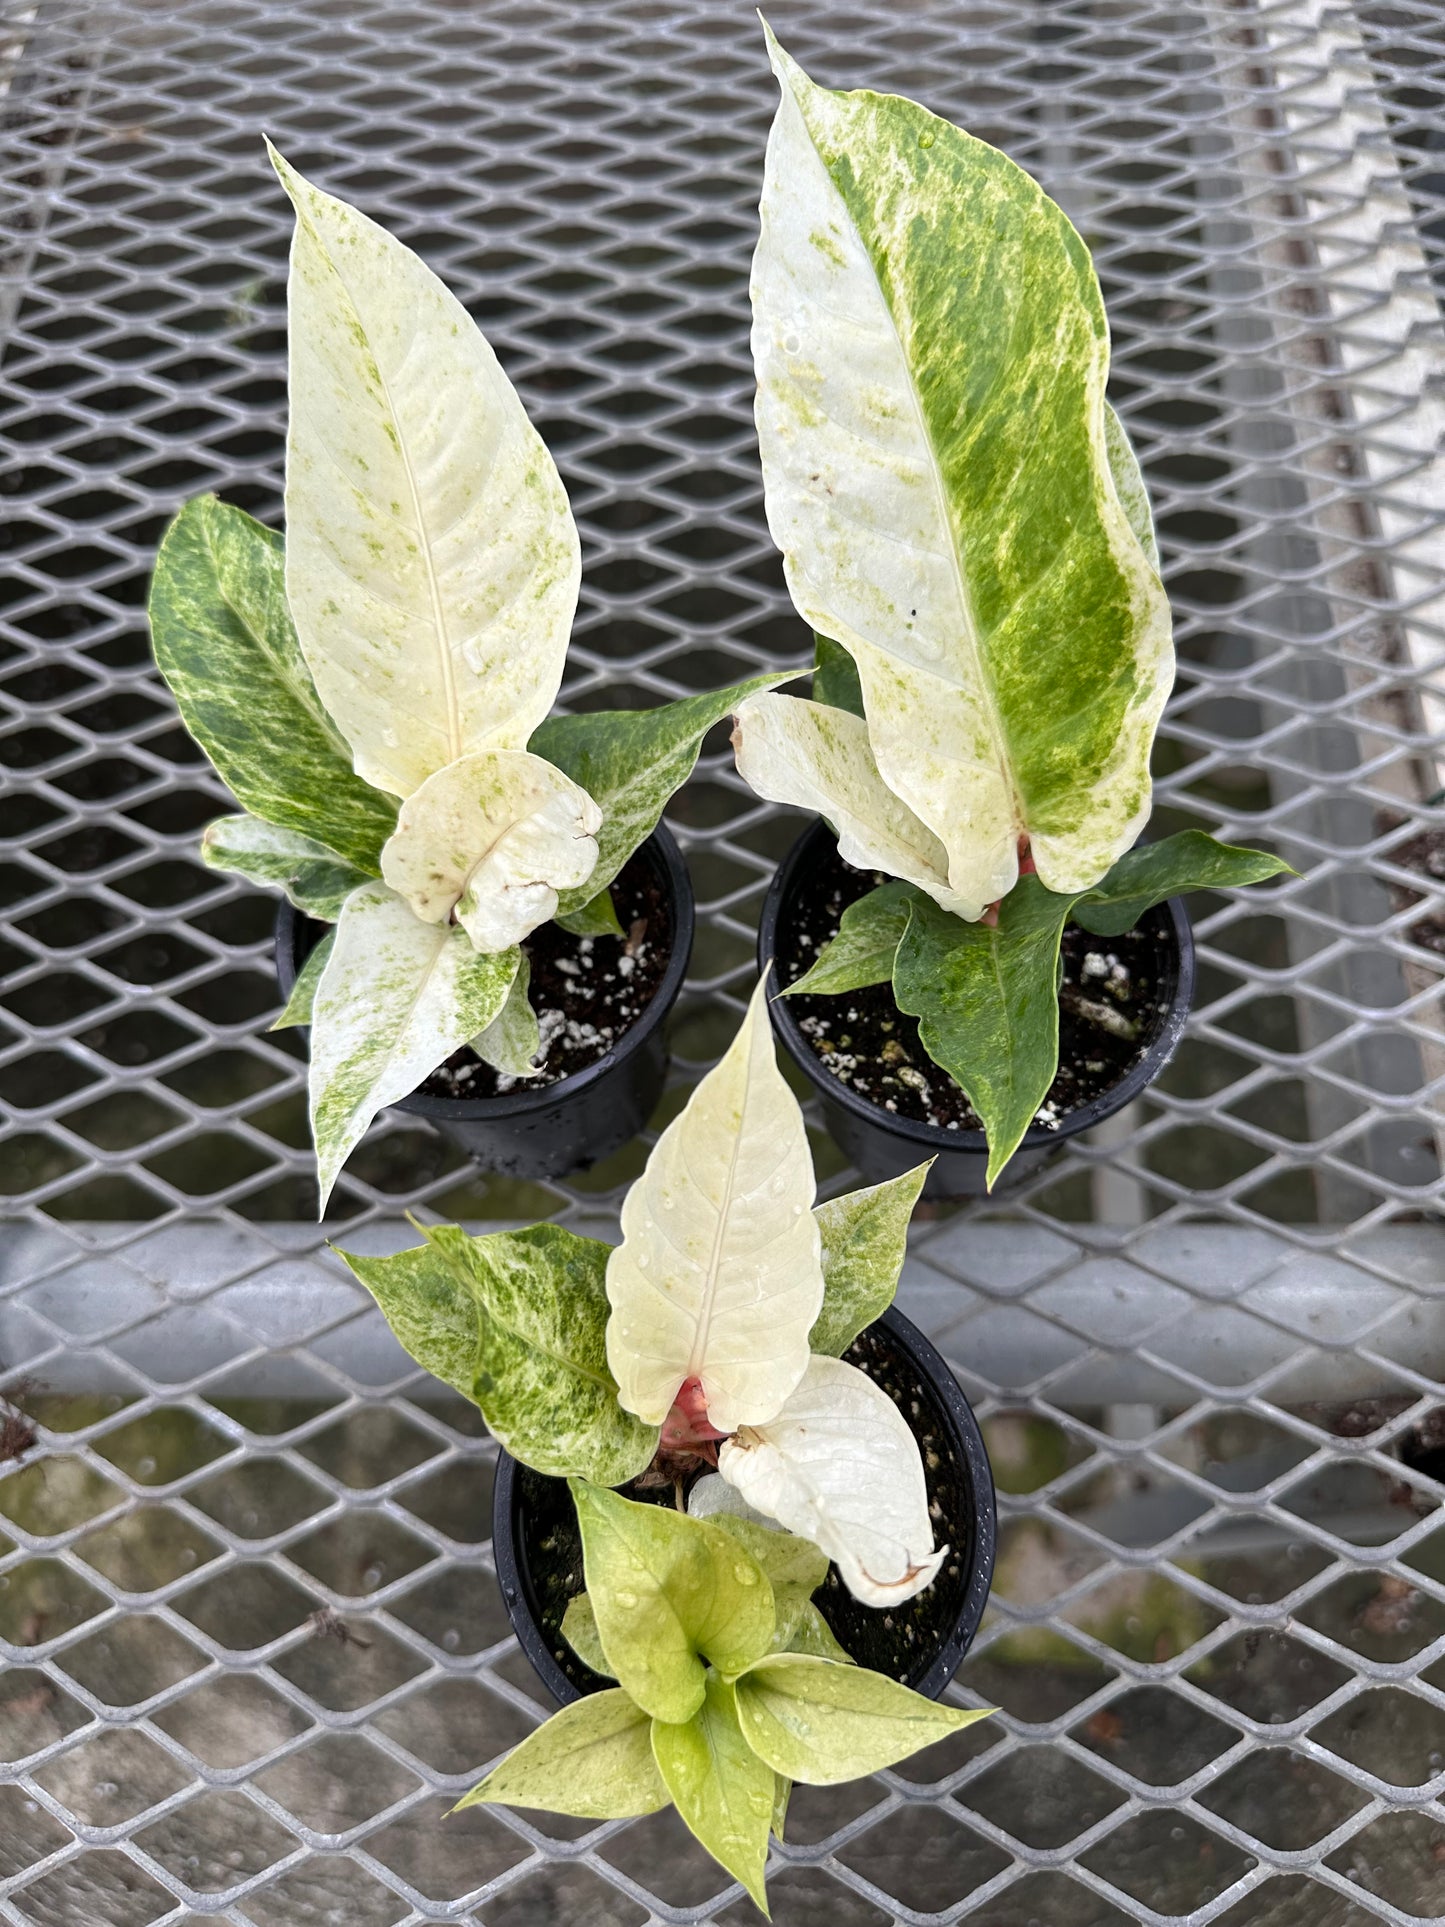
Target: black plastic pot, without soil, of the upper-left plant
x,y
565,1126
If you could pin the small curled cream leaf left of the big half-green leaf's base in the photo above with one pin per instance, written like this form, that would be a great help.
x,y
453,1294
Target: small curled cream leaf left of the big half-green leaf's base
x,y
818,758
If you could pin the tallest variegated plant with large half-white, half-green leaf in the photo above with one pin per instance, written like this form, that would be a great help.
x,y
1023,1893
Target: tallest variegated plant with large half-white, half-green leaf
x,y
966,529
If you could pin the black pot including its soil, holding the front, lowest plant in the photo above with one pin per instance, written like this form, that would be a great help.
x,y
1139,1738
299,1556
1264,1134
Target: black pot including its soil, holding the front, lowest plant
x,y
539,1550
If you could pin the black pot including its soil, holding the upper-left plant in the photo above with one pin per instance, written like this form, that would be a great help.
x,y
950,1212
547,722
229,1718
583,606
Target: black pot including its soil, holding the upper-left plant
x,y
602,1005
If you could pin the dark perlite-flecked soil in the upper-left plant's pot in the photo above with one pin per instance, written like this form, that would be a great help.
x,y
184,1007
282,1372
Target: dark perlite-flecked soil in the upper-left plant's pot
x,y
587,991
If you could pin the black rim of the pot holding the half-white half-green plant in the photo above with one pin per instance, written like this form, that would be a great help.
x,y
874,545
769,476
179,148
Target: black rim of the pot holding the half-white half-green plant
x,y
933,1136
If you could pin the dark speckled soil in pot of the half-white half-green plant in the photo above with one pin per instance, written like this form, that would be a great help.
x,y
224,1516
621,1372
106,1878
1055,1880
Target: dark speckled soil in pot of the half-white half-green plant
x,y
870,1045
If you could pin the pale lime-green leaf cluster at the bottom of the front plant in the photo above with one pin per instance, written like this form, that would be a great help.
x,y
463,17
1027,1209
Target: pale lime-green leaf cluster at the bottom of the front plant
x,y
687,1616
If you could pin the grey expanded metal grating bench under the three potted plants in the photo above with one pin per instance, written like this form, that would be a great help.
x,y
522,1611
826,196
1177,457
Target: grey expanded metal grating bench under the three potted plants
x,y
251,1637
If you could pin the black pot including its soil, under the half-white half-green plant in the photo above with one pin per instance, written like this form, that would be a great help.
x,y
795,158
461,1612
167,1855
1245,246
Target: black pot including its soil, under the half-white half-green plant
x,y
889,1105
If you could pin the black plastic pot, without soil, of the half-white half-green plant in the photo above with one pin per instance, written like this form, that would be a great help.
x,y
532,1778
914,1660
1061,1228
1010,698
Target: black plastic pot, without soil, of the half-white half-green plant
x,y
883,1144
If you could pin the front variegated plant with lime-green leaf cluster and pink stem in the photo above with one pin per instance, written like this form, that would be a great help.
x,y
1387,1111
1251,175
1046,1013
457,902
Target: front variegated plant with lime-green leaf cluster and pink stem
x,y
712,1334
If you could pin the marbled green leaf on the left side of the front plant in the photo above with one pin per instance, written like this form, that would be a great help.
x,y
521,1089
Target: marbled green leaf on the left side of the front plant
x,y
517,1323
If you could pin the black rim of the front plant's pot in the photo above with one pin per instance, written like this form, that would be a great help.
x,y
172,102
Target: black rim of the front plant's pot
x,y
972,1454
